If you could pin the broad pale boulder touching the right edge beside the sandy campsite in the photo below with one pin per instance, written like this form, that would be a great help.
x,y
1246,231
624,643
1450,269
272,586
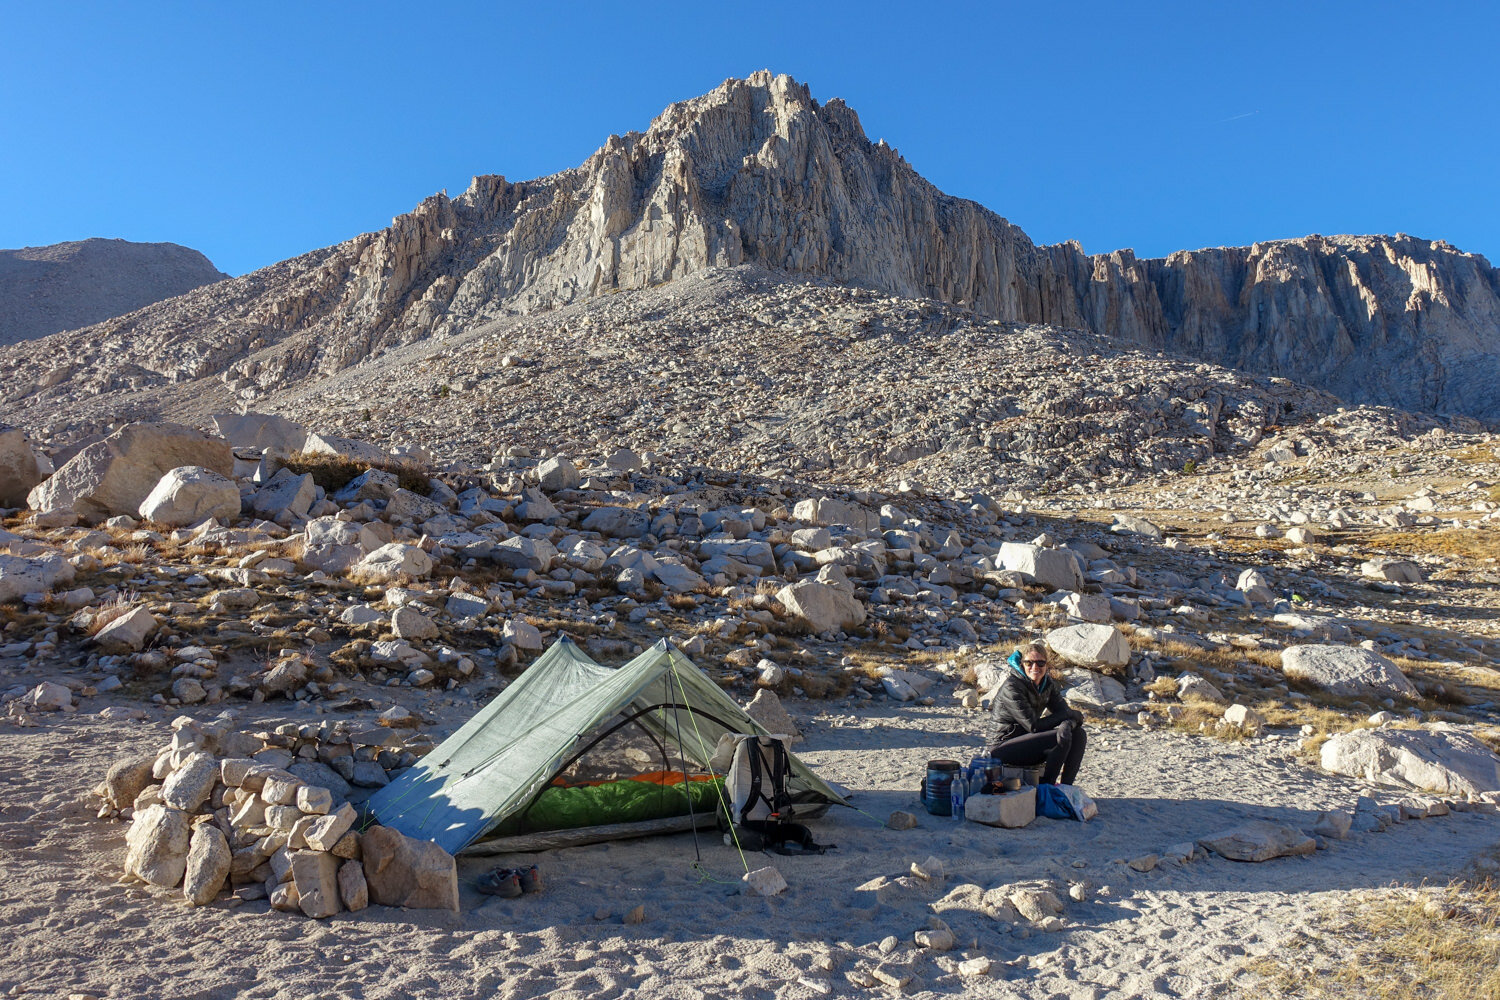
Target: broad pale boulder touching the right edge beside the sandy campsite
x,y
1441,759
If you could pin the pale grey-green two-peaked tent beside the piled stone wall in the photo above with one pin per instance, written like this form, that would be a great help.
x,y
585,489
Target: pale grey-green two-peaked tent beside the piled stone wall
x,y
569,716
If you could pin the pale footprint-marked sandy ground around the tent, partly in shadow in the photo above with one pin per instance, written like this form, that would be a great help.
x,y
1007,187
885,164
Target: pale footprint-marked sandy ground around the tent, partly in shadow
x,y
1178,932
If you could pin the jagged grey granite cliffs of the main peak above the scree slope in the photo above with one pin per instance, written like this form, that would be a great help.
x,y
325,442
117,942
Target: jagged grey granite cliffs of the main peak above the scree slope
x,y
758,172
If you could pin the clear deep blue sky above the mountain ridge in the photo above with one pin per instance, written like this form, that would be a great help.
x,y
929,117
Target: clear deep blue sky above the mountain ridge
x,y
256,133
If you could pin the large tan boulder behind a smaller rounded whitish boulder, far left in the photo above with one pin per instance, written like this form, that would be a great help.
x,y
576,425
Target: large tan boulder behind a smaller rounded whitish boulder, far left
x,y
113,476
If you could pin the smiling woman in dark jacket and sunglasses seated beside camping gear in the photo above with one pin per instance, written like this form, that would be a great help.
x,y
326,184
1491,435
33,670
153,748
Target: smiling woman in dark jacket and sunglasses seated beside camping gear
x,y
1033,723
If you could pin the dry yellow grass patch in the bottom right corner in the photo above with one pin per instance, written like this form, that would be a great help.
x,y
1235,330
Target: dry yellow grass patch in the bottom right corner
x,y
1433,944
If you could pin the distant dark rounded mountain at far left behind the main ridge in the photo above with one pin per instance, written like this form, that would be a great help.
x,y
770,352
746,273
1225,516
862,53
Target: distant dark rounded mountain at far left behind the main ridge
x,y
68,286
